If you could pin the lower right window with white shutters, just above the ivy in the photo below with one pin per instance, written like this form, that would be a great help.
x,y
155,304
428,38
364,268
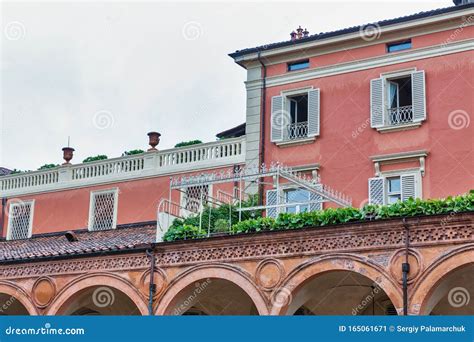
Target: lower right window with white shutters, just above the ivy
x,y
392,188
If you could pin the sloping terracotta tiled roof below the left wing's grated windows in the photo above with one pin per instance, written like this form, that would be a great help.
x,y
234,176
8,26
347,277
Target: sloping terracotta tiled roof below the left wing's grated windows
x,y
55,245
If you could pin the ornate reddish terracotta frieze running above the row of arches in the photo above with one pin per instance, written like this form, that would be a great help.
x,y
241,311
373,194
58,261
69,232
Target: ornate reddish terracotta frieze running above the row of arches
x,y
366,236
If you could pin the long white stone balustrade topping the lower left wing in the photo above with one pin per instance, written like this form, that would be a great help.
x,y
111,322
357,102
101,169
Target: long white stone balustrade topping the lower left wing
x,y
149,164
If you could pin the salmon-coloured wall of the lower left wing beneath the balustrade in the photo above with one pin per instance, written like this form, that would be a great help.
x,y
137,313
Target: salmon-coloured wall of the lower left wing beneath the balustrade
x,y
69,209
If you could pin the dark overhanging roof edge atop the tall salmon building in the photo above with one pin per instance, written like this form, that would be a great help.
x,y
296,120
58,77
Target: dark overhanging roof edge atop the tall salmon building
x,y
324,35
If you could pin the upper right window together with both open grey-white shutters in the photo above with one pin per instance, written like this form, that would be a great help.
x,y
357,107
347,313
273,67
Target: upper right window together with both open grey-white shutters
x,y
398,99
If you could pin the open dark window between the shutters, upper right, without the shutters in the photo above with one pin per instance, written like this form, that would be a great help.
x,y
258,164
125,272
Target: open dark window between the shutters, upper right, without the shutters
x,y
399,101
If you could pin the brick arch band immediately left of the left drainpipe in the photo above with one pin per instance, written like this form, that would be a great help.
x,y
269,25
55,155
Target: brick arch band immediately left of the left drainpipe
x,y
97,279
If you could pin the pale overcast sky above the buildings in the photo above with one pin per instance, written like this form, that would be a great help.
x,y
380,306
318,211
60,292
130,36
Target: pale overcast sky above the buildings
x,y
106,73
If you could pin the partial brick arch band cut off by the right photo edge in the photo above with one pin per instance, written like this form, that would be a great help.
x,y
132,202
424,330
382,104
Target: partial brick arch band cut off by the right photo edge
x,y
434,275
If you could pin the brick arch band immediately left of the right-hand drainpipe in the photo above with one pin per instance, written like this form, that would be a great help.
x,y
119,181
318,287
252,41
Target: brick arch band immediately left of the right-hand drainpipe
x,y
315,267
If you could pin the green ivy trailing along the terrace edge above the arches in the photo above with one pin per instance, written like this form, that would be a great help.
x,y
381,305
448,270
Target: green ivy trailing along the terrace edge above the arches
x,y
180,229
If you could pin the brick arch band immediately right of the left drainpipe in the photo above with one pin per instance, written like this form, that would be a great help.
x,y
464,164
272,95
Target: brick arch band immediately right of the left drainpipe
x,y
214,271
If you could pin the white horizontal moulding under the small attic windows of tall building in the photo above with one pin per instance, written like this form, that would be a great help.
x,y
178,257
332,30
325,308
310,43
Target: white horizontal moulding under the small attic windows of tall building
x,y
369,63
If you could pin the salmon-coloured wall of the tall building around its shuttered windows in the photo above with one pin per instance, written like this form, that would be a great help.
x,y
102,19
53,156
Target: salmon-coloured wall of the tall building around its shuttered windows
x,y
347,141
